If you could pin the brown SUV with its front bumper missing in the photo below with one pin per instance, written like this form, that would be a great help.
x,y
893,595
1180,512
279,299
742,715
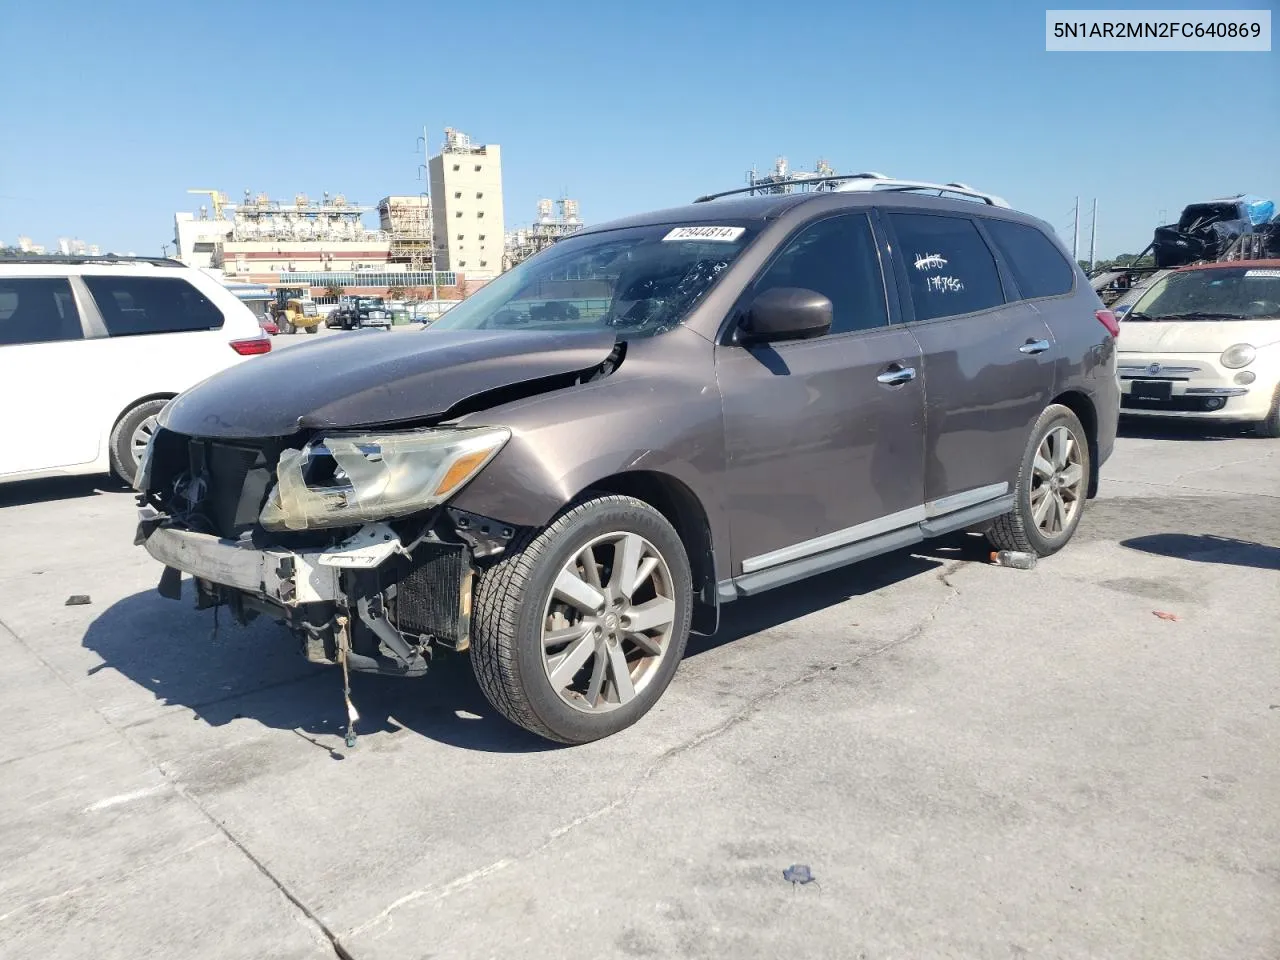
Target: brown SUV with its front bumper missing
x,y
575,468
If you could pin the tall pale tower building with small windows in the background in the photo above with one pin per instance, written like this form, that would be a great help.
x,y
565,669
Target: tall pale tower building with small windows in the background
x,y
467,207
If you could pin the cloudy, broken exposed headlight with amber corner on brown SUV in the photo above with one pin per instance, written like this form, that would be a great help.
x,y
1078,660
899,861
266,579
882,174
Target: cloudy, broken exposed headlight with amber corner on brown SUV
x,y
353,478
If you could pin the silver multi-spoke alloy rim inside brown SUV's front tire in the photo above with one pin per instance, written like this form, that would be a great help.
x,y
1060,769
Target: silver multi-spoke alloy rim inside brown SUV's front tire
x,y
609,623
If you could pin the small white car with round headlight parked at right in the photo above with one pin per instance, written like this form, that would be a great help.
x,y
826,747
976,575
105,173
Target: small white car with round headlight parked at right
x,y
1204,344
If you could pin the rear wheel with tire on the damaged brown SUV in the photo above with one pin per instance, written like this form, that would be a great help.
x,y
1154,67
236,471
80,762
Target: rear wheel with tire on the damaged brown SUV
x,y
1020,531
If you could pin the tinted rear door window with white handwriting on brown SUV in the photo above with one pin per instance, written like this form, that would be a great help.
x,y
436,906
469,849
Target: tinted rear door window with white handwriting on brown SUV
x,y
949,268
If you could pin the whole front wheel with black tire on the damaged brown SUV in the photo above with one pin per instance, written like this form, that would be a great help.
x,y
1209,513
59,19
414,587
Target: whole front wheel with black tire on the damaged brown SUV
x,y
514,598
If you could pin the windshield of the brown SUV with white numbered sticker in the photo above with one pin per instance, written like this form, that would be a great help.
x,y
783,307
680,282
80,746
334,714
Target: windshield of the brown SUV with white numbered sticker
x,y
639,282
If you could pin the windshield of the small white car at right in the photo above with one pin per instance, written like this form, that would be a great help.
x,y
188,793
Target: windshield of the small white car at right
x,y
1219,294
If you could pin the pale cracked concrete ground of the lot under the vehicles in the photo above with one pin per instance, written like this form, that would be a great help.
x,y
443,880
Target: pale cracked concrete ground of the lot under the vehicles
x,y
975,762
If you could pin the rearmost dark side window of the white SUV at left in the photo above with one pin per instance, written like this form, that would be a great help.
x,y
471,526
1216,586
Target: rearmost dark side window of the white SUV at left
x,y
132,307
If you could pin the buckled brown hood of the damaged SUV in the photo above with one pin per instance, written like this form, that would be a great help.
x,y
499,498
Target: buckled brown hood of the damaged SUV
x,y
371,378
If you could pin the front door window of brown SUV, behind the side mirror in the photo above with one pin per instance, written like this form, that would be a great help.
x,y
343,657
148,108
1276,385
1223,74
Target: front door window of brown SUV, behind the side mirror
x,y
838,259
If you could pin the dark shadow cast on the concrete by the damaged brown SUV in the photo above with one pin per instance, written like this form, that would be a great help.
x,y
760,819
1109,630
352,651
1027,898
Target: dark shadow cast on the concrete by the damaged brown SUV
x,y
257,673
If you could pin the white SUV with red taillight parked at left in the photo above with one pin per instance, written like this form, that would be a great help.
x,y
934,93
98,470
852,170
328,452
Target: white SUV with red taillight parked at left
x,y
92,349
